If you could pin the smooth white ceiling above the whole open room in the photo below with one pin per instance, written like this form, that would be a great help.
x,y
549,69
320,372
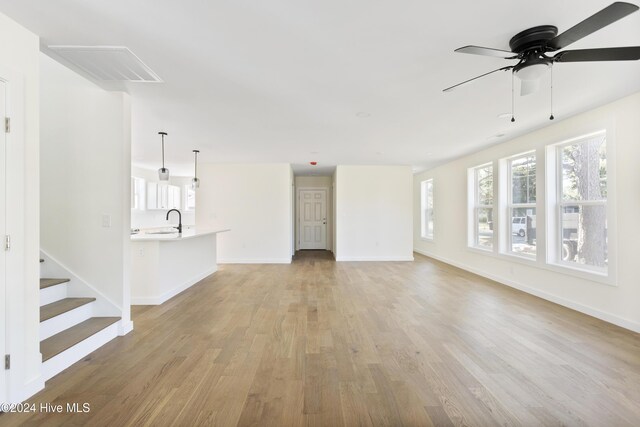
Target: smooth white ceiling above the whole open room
x,y
337,82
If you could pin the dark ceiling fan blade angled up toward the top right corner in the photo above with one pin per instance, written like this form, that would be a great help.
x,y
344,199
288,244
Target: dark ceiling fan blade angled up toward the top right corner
x,y
606,16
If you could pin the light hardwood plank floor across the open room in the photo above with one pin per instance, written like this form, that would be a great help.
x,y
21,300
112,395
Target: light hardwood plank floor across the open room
x,y
325,343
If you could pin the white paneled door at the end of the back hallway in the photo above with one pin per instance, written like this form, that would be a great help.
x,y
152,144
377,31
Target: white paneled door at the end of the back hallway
x,y
313,219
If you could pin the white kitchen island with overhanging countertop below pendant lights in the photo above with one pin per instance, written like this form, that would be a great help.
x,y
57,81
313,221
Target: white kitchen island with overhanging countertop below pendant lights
x,y
163,265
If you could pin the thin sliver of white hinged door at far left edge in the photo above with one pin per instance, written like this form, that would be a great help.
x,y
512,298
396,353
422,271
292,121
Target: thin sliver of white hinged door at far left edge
x,y
3,233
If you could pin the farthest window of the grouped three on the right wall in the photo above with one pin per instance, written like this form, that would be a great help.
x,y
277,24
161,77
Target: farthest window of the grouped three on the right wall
x,y
483,219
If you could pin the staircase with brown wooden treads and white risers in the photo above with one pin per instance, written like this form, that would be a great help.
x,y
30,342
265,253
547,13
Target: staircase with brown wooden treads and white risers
x,y
68,328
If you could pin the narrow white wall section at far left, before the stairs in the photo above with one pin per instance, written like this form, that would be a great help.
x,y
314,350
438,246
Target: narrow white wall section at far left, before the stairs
x,y
19,52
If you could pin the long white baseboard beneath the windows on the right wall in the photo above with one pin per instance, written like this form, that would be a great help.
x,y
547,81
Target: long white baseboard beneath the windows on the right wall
x,y
594,312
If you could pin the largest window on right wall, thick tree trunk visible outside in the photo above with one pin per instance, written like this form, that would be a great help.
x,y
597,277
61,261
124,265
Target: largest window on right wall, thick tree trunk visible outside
x,y
581,203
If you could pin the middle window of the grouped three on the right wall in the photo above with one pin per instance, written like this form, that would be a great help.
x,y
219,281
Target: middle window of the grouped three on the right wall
x,y
522,205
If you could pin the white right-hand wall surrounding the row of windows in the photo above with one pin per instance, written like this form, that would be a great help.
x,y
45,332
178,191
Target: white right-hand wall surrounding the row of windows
x,y
617,304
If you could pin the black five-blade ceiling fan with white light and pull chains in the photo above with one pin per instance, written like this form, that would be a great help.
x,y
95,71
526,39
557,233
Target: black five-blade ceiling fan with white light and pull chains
x,y
530,48
